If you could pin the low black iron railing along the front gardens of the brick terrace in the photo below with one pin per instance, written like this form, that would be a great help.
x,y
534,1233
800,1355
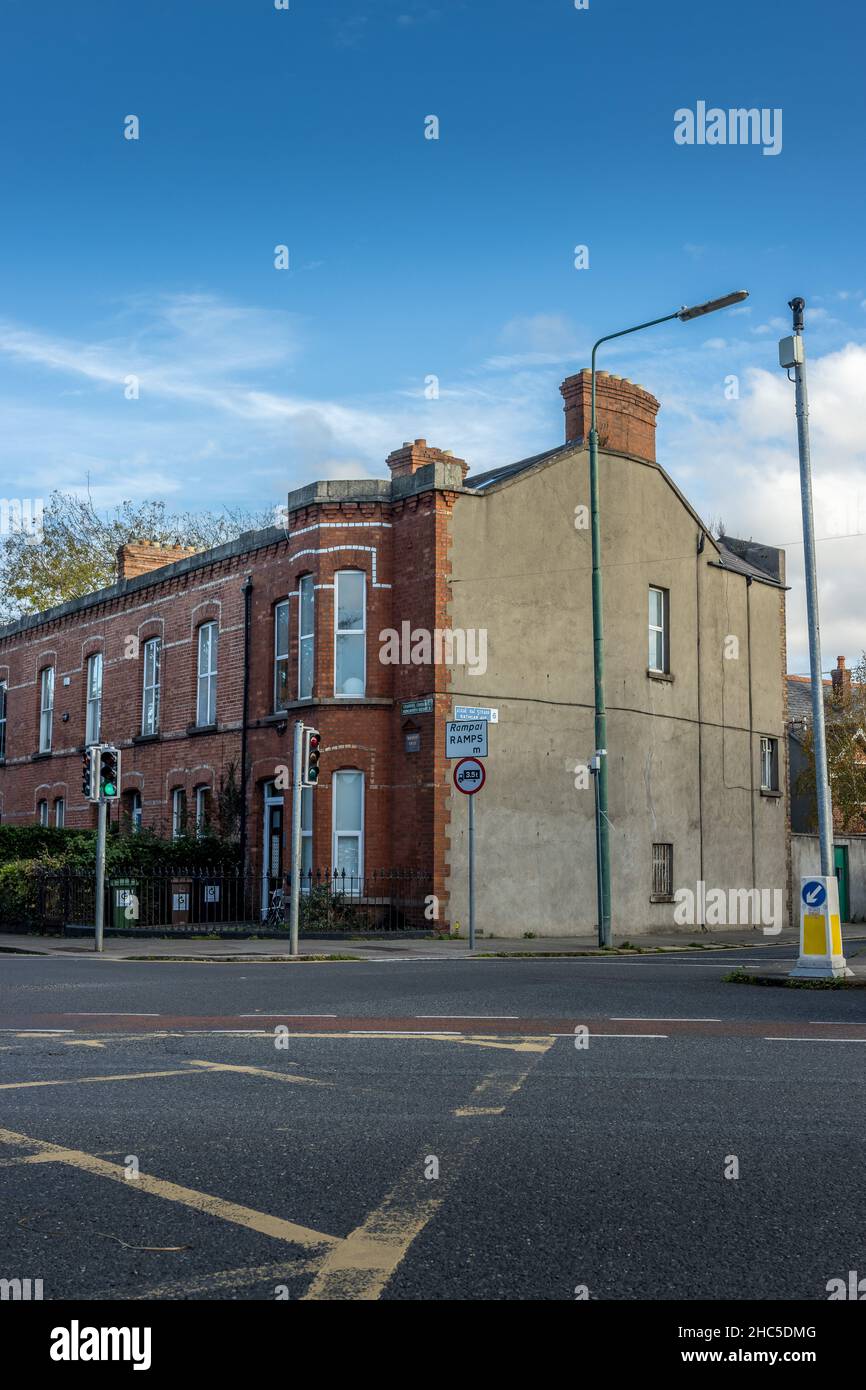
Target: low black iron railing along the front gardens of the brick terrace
x,y
202,901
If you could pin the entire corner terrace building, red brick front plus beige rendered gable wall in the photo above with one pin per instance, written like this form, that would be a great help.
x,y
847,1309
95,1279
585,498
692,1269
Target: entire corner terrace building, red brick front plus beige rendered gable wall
x,y
199,665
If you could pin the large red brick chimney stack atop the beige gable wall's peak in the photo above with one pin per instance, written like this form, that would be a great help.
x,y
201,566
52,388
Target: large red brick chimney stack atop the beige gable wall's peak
x,y
626,415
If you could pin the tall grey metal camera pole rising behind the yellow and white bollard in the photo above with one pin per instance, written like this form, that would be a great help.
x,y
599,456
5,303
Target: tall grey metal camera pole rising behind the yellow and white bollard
x,y
822,778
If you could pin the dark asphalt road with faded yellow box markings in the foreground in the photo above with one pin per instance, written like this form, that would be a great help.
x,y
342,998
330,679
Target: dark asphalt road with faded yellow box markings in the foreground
x,y
286,1122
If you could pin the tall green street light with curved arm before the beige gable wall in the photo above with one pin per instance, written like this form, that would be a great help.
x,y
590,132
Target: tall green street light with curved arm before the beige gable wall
x,y
603,839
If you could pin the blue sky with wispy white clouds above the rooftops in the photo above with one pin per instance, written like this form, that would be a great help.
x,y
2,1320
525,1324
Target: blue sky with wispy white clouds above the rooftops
x,y
412,258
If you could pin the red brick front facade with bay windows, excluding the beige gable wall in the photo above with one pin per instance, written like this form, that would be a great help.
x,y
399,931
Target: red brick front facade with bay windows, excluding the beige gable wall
x,y
197,667
